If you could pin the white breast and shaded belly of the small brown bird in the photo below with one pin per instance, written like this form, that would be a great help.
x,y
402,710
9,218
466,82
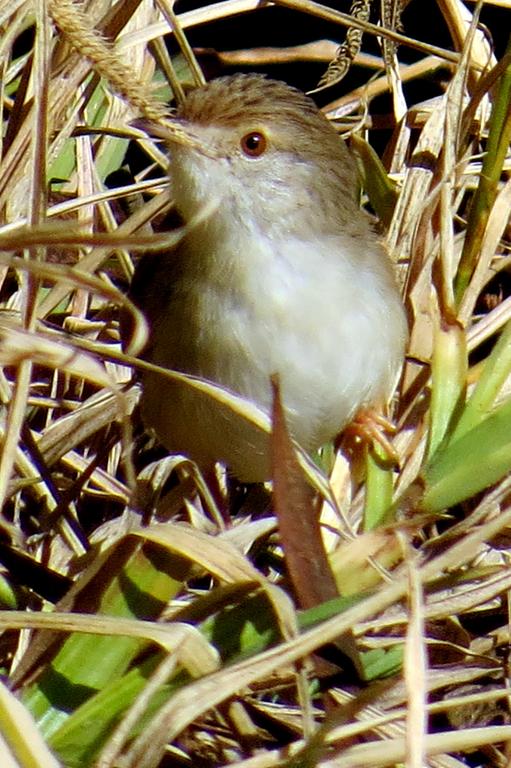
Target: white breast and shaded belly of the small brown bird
x,y
333,349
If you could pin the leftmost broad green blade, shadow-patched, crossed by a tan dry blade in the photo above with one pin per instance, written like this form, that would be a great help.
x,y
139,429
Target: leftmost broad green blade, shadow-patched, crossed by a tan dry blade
x,y
137,582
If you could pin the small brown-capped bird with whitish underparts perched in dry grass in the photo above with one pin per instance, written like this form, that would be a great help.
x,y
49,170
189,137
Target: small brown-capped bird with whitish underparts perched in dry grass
x,y
279,272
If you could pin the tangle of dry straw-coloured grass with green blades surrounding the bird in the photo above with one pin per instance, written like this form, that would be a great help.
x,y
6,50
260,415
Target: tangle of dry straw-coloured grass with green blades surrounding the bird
x,y
432,622
